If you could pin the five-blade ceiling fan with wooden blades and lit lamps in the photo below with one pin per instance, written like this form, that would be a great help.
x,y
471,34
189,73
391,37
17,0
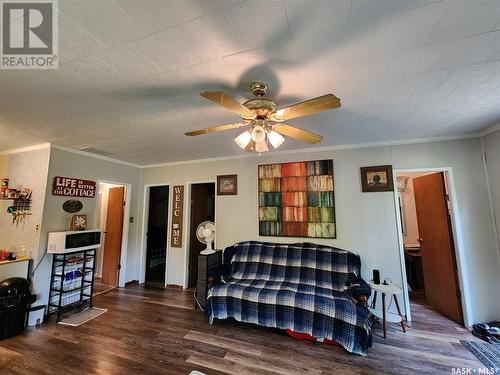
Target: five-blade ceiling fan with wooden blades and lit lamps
x,y
265,119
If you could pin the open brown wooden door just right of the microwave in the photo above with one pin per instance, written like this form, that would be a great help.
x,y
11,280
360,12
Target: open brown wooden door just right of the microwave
x,y
113,236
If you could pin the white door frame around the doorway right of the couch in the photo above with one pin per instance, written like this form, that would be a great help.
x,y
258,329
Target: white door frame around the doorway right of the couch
x,y
463,281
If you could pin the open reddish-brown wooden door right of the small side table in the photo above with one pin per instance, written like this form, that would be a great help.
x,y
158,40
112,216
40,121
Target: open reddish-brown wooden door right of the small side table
x,y
437,249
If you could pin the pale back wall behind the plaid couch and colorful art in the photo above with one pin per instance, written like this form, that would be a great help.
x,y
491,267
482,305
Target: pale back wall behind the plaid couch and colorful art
x,y
366,222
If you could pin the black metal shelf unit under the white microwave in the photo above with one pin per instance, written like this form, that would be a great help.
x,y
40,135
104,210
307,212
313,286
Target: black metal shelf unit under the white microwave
x,y
71,282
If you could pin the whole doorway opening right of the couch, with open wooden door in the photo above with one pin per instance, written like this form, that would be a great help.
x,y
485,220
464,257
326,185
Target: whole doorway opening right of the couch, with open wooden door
x,y
428,242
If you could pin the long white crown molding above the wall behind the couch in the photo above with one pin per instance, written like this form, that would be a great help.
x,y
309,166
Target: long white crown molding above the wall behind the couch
x,y
318,149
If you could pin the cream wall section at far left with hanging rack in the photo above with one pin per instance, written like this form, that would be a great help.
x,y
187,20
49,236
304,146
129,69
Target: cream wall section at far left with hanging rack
x,y
24,169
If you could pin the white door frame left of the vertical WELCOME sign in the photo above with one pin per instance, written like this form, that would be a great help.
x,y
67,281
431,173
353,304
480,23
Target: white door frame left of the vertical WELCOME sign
x,y
144,239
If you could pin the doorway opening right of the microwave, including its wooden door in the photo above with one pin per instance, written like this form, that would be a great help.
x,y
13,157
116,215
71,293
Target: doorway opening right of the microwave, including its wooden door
x,y
112,198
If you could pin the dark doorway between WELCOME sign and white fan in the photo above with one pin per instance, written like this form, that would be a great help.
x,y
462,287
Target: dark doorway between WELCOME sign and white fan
x,y
202,208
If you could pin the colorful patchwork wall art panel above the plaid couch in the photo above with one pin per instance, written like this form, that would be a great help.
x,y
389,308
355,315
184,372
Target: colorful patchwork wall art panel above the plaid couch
x,y
297,199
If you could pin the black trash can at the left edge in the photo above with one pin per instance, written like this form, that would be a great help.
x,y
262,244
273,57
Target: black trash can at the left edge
x,y
15,296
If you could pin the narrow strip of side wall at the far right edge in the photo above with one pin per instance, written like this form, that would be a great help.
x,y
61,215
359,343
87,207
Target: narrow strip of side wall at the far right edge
x,y
491,145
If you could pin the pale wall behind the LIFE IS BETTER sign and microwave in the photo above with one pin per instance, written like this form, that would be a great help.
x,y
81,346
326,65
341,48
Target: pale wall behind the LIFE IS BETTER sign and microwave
x,y
69,164
